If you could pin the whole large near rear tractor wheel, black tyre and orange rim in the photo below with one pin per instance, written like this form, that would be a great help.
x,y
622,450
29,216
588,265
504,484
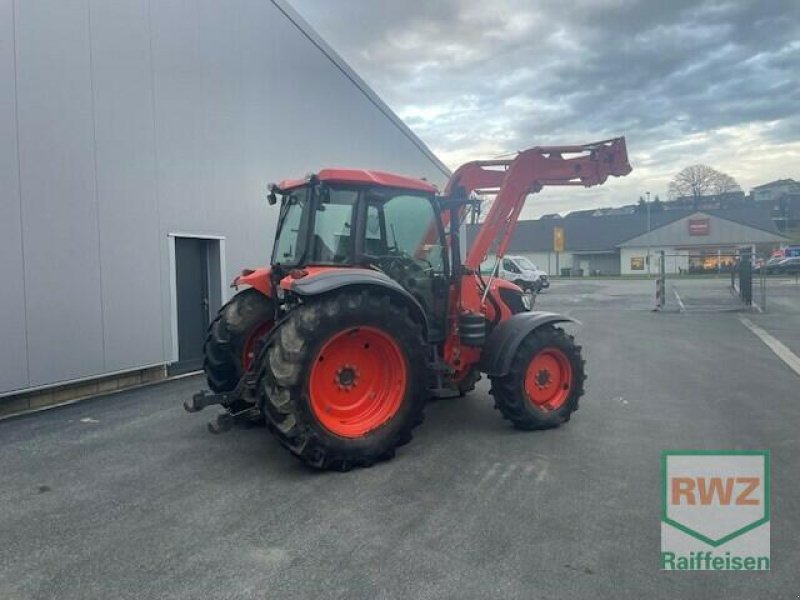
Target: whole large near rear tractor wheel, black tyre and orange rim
x,y
342,384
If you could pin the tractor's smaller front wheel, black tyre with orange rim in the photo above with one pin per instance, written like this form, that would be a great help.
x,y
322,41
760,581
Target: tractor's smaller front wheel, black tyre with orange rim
x,y
545,382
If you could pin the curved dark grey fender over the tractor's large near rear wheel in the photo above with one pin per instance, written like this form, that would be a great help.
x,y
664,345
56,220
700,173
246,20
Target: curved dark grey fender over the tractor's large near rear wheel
x,y
326,279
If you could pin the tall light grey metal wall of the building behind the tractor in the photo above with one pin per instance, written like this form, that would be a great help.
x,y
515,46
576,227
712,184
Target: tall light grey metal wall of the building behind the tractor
x,y
122,121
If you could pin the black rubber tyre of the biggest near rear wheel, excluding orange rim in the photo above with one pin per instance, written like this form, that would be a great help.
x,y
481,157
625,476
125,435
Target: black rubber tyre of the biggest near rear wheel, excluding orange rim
x,y
287,366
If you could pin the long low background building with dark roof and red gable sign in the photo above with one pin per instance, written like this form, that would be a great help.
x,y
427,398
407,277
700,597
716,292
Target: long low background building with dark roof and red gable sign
x,y
622,244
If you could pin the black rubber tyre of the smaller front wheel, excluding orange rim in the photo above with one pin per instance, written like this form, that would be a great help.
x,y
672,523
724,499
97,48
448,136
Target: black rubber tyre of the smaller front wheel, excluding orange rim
x,y
510,396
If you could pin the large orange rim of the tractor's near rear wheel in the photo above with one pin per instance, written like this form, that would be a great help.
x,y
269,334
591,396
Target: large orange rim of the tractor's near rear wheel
x,y
357,381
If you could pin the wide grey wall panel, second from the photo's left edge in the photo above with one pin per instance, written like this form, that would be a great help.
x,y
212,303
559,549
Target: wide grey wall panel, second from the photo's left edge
x,y
59,203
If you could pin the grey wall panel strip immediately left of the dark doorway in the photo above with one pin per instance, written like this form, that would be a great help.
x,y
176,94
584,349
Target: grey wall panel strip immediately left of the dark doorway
x,y
126,184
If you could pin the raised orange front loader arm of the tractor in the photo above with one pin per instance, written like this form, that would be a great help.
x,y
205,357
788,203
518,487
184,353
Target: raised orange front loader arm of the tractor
x,y
528,173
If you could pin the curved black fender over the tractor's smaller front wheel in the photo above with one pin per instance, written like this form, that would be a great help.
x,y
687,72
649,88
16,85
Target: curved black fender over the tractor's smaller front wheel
x,y
502,343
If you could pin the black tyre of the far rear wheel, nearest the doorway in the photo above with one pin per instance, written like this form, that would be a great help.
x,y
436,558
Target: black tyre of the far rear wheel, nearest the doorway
x,y
227,336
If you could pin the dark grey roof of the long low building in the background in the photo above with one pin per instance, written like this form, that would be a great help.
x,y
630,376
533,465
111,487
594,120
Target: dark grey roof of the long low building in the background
x,y
586,233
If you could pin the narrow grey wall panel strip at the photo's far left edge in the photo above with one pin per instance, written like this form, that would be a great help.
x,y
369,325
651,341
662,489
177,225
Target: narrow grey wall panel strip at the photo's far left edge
x,y
13,348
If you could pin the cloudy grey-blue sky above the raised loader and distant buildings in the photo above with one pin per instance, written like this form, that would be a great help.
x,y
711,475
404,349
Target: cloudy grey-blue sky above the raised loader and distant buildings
x,y
685,81
